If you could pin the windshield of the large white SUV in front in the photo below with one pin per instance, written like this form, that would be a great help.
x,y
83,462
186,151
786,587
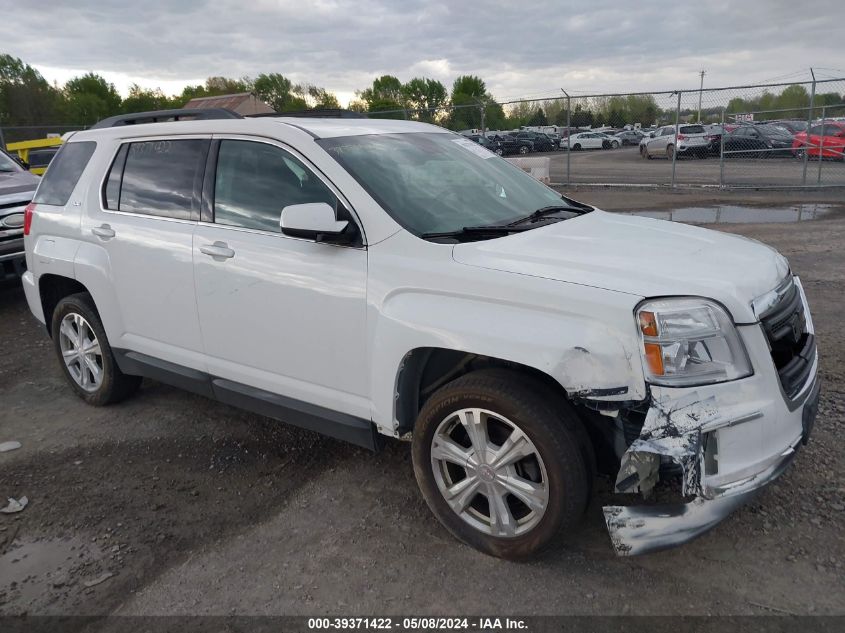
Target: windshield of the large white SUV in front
x,y
437,182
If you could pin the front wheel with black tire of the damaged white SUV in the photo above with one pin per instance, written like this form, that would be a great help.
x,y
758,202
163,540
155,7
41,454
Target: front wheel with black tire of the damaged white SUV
x,y
552,473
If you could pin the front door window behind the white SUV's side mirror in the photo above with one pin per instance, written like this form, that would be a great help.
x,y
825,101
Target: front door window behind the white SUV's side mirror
x,y
255,181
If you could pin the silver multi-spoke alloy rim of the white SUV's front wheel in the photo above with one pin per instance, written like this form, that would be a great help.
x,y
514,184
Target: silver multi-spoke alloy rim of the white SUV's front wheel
x,y
489,472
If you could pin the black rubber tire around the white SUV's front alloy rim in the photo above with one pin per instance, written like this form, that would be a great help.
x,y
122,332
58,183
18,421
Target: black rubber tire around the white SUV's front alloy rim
x,y
563,463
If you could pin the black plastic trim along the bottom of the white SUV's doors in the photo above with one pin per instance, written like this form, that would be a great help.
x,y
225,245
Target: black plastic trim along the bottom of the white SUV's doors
x,y
342,426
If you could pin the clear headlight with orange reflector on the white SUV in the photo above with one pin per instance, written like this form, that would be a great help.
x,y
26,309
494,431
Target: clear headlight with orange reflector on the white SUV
x,y
690,342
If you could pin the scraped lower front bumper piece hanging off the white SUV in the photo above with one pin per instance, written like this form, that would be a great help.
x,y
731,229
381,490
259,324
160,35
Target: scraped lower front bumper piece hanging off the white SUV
x,y
642,529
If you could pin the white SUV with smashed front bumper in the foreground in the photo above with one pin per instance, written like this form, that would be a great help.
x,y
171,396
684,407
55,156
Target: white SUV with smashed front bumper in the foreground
x,y
366,278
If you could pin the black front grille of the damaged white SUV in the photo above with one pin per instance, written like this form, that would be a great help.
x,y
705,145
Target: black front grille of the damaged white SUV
x,y
793,348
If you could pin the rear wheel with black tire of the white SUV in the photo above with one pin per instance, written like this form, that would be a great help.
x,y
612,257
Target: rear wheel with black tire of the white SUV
x,y
75,318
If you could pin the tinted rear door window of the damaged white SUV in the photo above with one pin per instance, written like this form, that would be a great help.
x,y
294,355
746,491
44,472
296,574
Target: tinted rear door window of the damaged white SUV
x,y
160,178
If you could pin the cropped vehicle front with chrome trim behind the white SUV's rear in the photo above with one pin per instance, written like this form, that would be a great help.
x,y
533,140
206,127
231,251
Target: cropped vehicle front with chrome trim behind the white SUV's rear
x,y
17,186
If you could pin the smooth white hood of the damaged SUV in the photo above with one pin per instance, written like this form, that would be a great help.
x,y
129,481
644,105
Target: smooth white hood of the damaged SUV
x,y
640,256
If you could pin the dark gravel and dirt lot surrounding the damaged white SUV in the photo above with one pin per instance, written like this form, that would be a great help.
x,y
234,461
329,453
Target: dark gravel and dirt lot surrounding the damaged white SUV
x,y
173,504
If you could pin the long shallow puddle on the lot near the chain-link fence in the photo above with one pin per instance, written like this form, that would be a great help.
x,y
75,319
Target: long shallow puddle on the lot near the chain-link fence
x,y
732,214
